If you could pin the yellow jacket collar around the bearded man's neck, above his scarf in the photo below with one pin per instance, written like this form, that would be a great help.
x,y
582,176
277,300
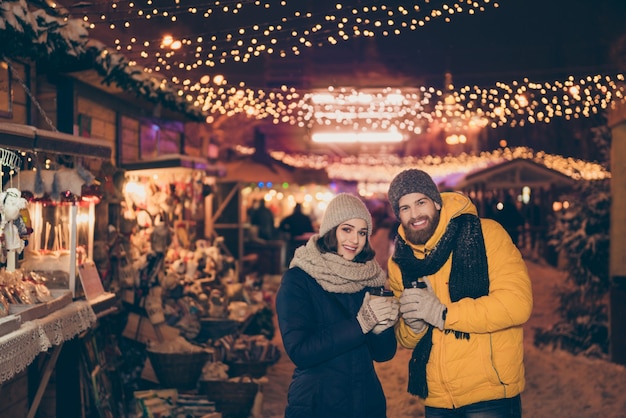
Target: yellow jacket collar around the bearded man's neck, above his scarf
x,y
454,204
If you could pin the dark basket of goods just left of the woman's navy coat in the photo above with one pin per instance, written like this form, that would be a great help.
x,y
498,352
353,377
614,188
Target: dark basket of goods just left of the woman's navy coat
x,y
251,355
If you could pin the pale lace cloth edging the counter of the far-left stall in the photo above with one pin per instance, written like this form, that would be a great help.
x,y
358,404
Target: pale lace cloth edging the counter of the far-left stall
x,y
19,348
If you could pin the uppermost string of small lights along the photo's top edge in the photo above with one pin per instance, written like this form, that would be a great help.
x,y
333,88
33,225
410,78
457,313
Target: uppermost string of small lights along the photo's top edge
x,y
286,29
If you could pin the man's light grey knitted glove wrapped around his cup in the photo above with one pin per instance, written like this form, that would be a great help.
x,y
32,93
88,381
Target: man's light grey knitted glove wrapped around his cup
x,y
422,304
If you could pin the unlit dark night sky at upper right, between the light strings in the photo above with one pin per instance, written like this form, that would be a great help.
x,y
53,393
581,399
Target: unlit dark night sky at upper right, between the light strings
x,y
540,39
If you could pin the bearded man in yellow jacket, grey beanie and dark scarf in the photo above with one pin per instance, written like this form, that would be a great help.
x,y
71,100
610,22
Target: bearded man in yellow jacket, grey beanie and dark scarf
x,y
464,294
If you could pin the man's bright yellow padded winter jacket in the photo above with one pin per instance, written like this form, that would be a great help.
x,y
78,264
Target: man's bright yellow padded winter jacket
x,y
490,364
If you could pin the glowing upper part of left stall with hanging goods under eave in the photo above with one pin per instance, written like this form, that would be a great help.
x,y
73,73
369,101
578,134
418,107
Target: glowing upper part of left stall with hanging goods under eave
x,y
54,176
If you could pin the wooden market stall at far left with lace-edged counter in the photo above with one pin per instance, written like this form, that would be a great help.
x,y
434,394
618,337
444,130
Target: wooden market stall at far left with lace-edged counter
x,y
38,337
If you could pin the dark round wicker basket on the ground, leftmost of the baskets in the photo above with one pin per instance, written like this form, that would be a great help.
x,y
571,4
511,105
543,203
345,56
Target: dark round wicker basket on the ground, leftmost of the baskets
x,y
178,363
